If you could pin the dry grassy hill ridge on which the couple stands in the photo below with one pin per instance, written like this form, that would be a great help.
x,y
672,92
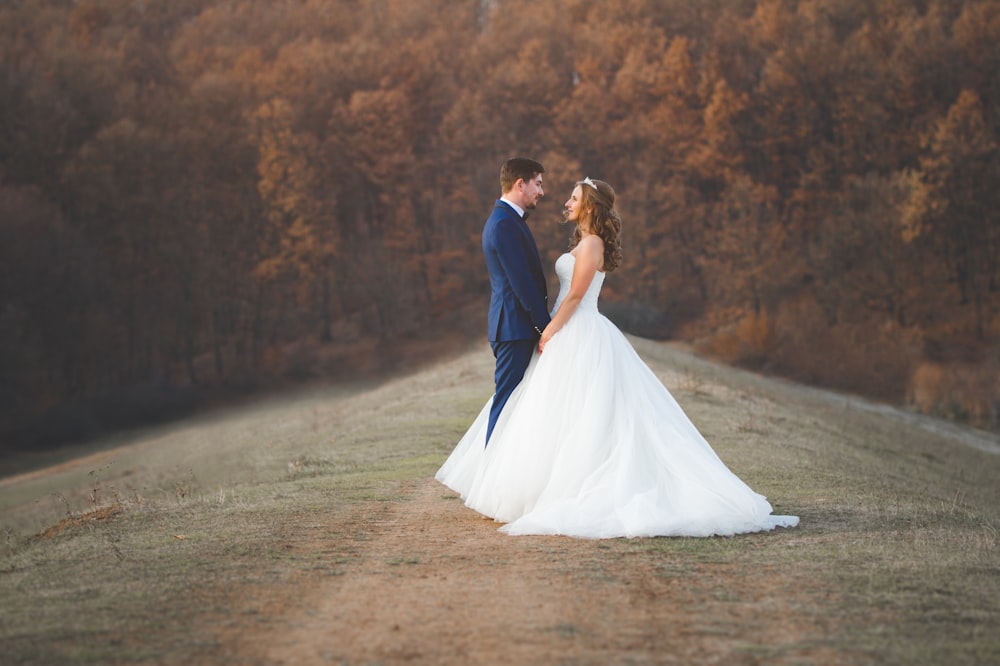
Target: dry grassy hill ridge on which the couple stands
x,y
205,541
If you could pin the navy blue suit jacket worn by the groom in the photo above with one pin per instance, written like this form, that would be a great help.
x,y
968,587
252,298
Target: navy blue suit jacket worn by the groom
x,y
518,308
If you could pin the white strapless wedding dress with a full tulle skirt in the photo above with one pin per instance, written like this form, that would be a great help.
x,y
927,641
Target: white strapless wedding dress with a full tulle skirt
x,y
591,444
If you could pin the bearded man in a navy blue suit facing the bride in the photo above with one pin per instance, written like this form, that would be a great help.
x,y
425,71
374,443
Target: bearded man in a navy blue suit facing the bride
x,y
518,309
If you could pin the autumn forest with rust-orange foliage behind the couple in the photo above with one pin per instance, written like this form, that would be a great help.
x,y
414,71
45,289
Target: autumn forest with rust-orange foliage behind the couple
x,y
216,195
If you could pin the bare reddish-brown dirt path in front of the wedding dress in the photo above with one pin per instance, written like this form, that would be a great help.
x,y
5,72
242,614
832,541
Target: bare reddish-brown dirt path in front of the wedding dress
x,y
426,580
